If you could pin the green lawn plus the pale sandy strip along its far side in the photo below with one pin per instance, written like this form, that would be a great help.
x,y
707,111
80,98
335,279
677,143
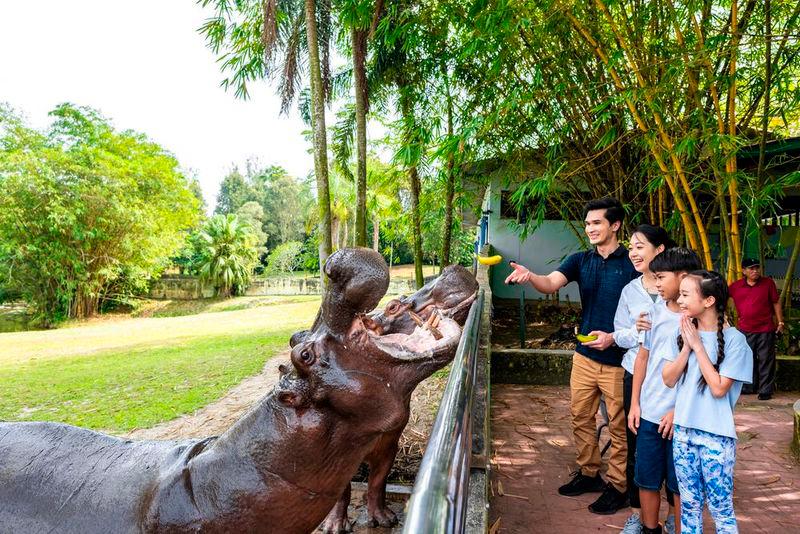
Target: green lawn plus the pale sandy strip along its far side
x,y
125,373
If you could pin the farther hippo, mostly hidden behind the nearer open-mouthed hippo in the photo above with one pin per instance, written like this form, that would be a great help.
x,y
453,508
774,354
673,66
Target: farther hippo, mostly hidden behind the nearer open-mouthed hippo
x,y
449,295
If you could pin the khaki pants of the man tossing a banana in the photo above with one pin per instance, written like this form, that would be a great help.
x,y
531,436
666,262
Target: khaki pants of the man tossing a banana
x,y
588,381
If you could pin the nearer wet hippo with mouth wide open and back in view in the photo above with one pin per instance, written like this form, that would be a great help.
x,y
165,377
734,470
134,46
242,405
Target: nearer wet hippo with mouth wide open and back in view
x,y
279,469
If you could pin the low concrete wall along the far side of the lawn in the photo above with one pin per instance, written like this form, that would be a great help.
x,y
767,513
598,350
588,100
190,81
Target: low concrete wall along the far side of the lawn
x,y
189,287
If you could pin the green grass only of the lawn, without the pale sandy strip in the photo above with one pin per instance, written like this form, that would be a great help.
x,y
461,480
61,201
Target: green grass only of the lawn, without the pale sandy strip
x,y
134,388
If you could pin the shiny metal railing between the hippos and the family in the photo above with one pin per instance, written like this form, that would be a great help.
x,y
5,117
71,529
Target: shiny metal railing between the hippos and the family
x,y
438,502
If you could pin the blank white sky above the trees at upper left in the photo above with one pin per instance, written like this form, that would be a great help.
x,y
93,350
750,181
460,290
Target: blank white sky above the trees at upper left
x,y
145,67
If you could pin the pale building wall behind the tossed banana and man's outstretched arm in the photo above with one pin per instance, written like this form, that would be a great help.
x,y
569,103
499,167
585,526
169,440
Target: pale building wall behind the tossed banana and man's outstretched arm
x,y
541,252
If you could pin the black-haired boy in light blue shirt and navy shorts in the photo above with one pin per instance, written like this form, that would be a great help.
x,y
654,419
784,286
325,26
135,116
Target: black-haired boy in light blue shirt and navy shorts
x,y
653,402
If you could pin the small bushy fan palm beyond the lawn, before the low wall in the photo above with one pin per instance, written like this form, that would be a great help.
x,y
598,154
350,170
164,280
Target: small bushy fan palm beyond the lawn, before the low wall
x,y
230,254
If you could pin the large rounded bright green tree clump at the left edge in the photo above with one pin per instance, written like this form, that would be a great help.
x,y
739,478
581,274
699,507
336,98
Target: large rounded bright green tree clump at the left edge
x,y
88,213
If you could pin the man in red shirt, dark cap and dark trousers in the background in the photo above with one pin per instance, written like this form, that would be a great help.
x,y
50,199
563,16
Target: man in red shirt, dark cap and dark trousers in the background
x,y
756,300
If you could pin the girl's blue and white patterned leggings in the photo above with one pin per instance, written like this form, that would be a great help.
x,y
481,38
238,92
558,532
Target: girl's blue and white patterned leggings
x,y
704,466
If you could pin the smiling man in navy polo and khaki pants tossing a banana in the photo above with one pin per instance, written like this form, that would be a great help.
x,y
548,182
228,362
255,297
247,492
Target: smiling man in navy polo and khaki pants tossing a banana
x,y
601,273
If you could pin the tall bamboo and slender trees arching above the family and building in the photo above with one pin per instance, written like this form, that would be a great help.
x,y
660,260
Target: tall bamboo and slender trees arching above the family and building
x,y
648,101
